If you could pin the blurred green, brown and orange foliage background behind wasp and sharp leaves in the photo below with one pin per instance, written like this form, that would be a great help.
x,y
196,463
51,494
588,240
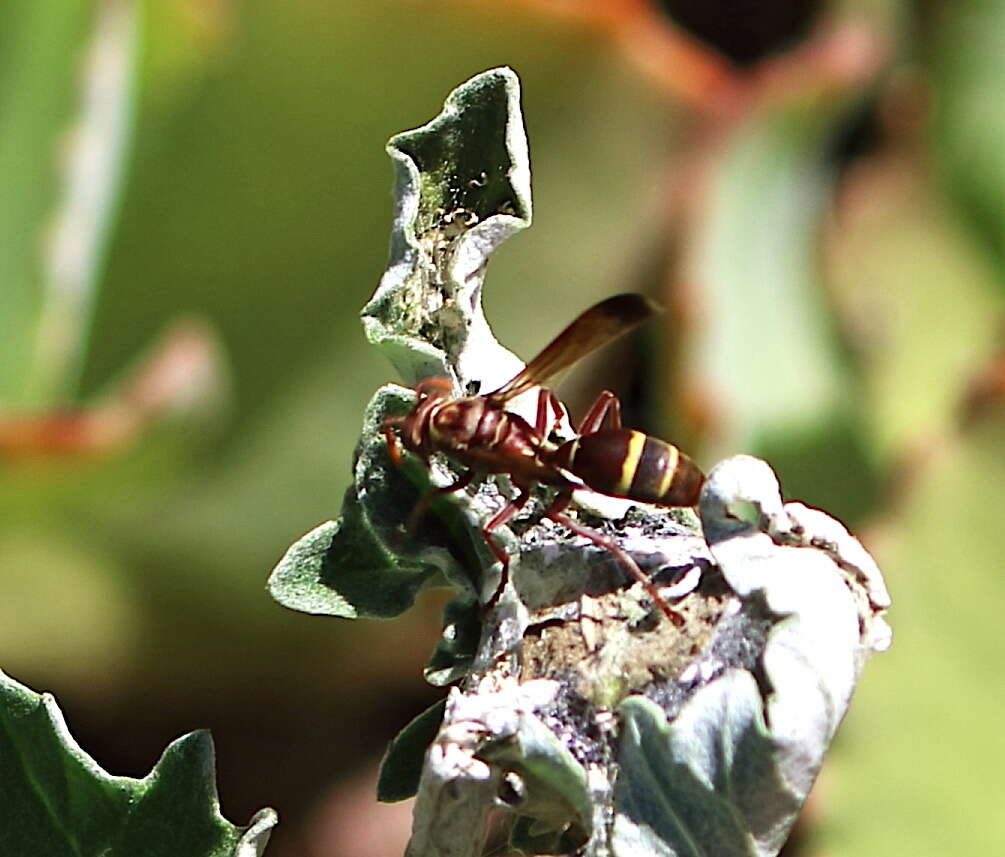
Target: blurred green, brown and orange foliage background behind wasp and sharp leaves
x,y
194,205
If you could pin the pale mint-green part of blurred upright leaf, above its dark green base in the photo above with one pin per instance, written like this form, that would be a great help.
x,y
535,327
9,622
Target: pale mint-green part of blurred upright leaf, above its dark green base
x,y
755,259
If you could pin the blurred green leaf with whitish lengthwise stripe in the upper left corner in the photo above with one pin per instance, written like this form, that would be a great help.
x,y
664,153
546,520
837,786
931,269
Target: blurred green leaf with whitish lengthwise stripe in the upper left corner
x,y
67,73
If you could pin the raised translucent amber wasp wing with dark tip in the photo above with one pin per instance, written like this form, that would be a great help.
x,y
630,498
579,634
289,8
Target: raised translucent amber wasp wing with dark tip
x,y
596,327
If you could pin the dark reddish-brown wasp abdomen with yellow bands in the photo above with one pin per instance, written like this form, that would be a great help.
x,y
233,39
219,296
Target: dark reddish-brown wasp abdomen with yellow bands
x,y
628,464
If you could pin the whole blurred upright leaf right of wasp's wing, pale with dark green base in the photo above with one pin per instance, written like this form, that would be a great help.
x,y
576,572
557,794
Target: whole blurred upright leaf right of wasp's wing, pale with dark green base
x,y
768,355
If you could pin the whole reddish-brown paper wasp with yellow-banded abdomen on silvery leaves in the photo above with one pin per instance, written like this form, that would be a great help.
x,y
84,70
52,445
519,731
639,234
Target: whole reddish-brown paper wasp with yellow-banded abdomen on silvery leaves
x,y
478,433
